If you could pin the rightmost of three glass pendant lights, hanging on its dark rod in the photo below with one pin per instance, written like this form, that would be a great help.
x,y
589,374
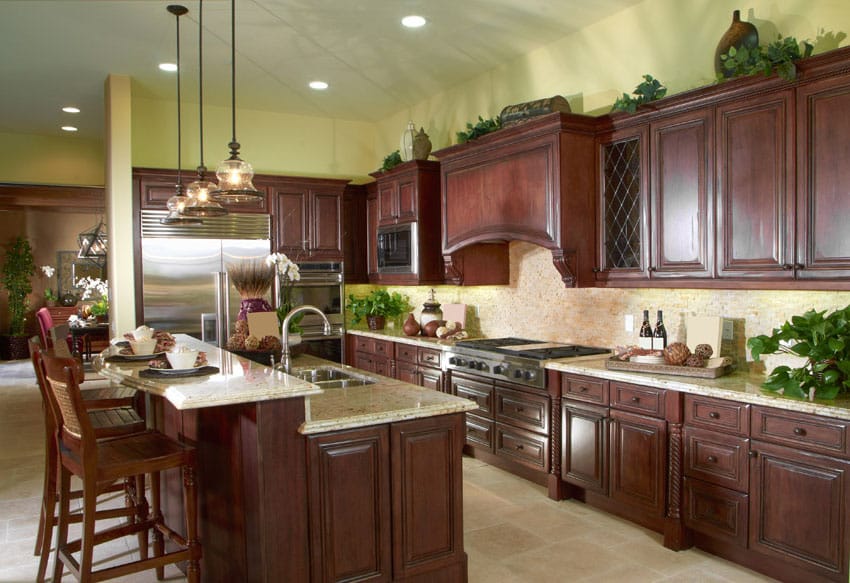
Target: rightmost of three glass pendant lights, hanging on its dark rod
x,y
234,174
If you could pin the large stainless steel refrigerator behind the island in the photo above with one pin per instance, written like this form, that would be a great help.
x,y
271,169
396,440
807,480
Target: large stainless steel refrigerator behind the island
x,y
184,280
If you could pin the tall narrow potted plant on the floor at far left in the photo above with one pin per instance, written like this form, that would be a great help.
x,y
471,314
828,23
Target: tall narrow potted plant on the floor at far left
x,y
18,267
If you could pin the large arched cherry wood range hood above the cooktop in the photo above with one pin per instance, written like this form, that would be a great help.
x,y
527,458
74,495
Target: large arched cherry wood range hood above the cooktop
x,y
532,182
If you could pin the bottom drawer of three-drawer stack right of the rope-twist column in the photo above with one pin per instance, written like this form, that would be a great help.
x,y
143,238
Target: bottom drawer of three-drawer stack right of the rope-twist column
x,y
717,512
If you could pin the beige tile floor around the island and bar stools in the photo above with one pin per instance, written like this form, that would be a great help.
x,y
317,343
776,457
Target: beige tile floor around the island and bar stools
x,y
513,532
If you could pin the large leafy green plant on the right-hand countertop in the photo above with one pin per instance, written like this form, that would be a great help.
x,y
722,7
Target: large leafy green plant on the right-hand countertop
x,y
824,341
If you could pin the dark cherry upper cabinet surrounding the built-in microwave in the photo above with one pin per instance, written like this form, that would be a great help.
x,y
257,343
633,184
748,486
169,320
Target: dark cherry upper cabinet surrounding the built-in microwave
x,y
409,193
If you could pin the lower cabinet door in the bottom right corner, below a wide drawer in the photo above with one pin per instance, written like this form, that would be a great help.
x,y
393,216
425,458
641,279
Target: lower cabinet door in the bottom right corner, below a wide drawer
x,y
798,508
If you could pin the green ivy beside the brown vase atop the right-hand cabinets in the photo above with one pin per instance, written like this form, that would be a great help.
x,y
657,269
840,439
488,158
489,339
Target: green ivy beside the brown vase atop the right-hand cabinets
x,y
778,56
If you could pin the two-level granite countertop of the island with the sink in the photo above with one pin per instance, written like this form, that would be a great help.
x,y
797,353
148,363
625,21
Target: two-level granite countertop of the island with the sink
x,y
243,381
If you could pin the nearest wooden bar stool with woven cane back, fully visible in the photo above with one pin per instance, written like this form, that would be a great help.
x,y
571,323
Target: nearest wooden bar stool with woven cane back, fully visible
x,y
103,462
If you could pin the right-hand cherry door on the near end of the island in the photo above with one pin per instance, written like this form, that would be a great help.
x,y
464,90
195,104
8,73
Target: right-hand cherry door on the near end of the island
x,y
427,486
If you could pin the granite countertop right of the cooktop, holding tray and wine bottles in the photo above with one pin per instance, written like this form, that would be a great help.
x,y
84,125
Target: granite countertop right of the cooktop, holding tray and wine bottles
x,y
740,385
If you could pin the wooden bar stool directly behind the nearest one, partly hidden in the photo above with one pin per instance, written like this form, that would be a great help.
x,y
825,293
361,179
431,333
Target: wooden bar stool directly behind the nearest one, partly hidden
x,y
107,422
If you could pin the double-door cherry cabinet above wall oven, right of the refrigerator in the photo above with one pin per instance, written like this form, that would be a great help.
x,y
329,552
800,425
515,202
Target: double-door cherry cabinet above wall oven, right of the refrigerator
x,y
308,219
